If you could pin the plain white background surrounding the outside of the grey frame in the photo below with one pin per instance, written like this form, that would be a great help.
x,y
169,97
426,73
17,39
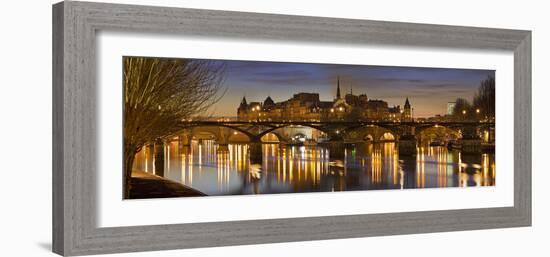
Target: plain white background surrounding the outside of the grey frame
x,y
25,128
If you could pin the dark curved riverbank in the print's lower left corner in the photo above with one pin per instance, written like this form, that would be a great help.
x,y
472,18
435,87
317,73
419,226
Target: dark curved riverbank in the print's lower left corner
x,y
145,185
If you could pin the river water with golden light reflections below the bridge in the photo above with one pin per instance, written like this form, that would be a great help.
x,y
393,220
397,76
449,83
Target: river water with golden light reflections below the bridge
x,y
216,170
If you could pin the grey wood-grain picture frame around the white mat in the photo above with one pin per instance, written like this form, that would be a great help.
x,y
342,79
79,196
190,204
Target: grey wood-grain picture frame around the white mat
x,y
75,25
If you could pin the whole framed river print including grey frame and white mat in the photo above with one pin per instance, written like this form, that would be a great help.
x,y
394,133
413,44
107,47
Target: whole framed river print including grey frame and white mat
x,y
182,128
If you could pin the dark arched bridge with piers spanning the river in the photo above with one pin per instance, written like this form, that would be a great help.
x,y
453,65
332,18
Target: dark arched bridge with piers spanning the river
x,y
334,134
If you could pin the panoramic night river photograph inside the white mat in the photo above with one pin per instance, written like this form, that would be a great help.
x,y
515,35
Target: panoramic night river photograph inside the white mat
x,y
203,127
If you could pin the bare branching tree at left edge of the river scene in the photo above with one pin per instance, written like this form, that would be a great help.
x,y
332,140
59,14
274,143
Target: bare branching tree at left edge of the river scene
x,y
158,94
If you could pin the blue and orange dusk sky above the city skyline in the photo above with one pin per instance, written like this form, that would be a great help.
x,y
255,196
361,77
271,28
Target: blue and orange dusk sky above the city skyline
x,y
428,89
